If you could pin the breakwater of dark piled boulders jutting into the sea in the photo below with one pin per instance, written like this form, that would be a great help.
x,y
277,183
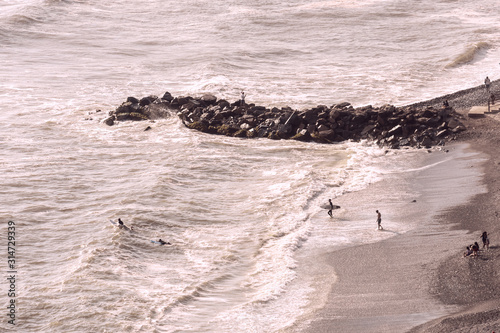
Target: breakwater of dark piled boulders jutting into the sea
x,y
387,125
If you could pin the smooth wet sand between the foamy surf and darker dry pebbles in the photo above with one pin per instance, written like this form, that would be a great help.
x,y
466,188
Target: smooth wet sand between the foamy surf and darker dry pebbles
x,y
387,286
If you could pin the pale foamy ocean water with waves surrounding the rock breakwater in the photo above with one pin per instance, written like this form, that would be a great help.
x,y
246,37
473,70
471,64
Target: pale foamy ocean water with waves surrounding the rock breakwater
x,y
235,211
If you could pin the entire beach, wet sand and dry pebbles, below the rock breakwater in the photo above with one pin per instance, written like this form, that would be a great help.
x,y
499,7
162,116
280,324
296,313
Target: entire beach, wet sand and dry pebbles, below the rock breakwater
x,y
418,281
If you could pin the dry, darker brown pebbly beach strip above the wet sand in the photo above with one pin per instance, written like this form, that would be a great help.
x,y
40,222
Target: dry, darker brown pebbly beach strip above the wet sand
x,y
474,284
